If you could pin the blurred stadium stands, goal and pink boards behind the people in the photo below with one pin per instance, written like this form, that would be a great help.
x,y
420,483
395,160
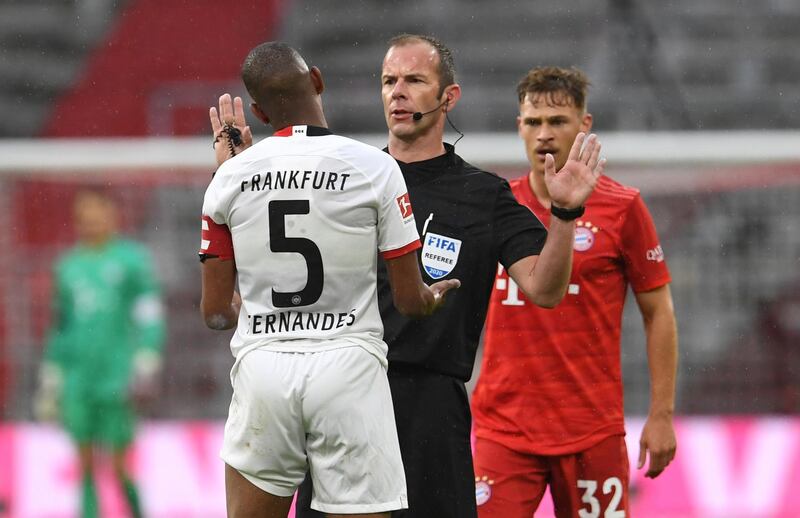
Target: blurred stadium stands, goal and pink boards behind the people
x,y
698,105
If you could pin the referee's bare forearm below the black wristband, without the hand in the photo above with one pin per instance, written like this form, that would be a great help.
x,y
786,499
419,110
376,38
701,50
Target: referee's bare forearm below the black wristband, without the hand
x,y
546,282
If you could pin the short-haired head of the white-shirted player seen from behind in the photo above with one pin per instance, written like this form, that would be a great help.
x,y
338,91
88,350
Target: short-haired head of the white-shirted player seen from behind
x,y
277,77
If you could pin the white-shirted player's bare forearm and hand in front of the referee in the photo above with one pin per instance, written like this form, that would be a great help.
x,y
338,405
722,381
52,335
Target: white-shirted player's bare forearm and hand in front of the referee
x,y
411,296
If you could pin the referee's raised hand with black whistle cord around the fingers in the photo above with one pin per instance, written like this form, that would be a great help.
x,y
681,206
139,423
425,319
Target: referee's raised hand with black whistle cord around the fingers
x,y
232,135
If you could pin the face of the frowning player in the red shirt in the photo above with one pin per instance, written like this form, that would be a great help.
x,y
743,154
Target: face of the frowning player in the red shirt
x,y
547,126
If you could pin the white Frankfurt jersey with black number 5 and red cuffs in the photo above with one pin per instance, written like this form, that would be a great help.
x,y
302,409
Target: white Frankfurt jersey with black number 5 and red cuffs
x,y
304,213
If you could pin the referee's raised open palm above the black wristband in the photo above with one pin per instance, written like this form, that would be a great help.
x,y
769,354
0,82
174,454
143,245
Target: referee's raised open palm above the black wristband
x,y
571,186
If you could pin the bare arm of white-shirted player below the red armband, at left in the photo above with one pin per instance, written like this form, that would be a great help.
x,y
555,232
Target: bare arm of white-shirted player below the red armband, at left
x,y
220,304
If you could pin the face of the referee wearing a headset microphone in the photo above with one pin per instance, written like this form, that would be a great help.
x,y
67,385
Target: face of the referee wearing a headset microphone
x,y
410,83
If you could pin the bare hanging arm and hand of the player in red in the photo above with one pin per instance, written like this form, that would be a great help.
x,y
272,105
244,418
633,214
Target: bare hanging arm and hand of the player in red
x,y
658,435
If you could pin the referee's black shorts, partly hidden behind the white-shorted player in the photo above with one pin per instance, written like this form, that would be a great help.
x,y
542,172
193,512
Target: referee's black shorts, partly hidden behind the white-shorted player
x,y
433,424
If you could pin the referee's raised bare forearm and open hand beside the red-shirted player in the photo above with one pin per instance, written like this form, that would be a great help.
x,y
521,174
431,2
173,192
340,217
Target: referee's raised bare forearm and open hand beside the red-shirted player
x,y
544,278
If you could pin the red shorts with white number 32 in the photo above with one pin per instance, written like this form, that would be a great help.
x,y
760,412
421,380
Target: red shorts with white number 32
x,y
589,484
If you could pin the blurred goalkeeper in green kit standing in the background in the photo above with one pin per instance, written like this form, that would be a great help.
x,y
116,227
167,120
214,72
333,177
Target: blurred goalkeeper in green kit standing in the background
x,y
103,353
